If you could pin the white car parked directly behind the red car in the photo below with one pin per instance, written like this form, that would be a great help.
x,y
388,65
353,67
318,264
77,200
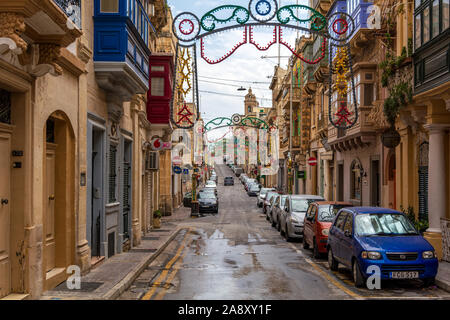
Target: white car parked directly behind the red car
x,y
292,218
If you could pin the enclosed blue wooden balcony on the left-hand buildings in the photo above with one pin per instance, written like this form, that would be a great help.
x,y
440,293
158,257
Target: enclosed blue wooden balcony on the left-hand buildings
x,y
122,31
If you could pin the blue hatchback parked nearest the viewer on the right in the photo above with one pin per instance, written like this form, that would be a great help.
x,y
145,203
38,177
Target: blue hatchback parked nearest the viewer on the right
x,y
367,236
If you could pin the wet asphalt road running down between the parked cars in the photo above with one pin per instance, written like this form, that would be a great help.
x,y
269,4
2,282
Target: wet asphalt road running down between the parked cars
x,y
237,255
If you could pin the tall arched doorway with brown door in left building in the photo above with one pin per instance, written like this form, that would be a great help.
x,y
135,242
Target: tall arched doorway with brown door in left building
x,y
58,199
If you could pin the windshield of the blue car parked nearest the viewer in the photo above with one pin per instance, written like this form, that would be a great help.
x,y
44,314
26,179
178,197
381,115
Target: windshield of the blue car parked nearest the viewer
x,y
387,224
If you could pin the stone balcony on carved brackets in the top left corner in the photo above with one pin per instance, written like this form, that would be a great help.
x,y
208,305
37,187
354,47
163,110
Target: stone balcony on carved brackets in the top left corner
x,y
37,33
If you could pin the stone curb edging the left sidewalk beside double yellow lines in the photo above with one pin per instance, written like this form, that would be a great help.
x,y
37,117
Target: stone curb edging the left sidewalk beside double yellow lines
x,y
126,282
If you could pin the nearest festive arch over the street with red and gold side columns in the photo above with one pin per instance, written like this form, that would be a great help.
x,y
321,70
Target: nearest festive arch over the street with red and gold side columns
x,y
262,24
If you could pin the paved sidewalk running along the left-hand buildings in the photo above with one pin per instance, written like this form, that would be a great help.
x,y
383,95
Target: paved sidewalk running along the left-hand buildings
x,y
115,275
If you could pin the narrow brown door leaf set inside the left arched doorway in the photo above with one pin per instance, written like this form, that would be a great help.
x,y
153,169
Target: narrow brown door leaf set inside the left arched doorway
x,y
49,201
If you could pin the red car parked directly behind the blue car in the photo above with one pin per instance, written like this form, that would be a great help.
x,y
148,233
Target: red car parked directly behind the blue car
x,y
317,223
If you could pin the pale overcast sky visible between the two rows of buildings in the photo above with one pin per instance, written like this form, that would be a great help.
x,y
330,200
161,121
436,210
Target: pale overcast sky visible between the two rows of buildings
x,y
244,65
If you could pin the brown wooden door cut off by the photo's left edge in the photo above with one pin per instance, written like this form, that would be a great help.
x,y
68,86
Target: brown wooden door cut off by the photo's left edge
x,y
5,166
